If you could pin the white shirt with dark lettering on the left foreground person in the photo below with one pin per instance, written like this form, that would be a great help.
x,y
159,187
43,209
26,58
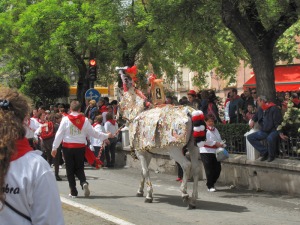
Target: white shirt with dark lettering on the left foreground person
x,y
31,188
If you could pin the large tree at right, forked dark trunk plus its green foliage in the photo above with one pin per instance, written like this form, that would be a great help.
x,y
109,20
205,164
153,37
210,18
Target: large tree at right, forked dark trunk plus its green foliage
x,y
222,32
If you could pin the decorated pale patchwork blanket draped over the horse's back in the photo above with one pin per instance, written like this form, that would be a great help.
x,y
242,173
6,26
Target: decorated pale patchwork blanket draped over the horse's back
x,y
158,127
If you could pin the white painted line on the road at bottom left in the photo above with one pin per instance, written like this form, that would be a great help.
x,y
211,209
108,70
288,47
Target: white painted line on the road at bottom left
x,y
95,212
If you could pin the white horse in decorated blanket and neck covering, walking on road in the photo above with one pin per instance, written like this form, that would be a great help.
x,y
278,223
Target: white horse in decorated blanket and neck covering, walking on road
x,y
152,131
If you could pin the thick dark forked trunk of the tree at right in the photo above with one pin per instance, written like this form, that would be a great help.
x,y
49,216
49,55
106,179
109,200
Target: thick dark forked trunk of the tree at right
x,y
259,41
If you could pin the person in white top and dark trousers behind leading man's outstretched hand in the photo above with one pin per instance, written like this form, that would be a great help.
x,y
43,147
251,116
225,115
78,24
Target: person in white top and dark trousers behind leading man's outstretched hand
x,y
111,126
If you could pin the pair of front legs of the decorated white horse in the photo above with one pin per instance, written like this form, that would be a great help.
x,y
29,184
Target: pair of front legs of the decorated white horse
x,y
145,159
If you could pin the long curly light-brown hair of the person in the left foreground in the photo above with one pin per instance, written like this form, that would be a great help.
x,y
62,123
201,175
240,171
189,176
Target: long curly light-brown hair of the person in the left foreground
x,y
11,119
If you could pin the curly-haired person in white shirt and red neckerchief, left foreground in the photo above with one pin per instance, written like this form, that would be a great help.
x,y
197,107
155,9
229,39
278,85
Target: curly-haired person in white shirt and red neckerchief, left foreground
x,y
28,193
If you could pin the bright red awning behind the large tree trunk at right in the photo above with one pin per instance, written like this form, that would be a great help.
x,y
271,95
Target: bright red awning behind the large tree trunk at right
x,y
287,78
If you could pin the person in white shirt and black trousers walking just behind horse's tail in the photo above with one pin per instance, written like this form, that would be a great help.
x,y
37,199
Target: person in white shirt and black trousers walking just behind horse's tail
x,y
208,153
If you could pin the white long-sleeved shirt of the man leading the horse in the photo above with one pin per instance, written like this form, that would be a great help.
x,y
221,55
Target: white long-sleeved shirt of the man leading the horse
x,y
69,133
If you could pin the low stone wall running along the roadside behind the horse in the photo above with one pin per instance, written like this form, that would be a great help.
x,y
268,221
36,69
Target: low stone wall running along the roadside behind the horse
x,y
280,176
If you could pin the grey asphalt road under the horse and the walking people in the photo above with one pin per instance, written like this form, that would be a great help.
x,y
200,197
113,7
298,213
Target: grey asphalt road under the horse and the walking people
x,y
113,201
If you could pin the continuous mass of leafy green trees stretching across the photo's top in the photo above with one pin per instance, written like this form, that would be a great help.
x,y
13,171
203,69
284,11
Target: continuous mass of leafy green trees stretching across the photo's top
x,y
59,36
